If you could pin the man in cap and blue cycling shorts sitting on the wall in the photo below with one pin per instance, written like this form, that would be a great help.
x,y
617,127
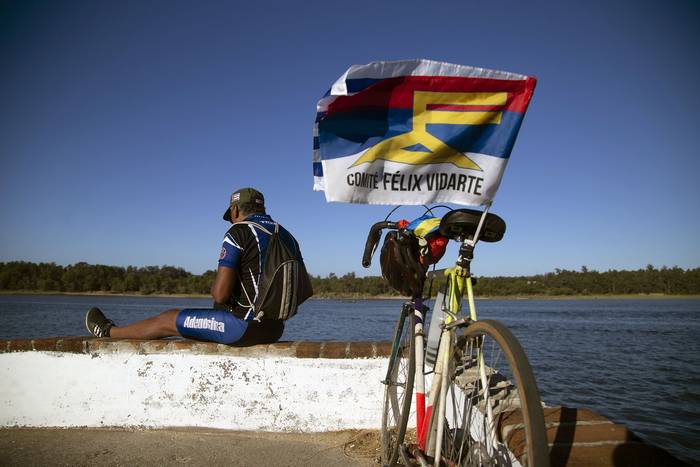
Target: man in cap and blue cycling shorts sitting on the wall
x,y
234,291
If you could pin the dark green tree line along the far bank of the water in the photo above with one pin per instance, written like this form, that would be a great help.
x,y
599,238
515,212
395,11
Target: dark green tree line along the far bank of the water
x,y
83,277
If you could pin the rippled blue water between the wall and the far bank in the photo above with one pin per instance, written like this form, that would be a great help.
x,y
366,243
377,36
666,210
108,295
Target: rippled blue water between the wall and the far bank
x,y
635,361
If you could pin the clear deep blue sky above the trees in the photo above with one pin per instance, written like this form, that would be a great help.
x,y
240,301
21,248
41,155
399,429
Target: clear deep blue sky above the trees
x,y
124,126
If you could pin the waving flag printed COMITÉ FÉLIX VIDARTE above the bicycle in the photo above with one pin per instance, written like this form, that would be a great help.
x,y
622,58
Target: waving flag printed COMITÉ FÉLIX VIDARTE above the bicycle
x,y
417,132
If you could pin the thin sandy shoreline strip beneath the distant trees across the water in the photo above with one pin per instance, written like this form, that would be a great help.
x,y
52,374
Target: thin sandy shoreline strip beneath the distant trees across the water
x,y
652,296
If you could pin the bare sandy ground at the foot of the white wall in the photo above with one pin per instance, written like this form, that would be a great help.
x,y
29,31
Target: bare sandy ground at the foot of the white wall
x,y
185,446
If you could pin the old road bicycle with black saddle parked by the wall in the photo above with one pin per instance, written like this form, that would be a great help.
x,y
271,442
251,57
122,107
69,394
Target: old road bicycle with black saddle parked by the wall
x,y
483,407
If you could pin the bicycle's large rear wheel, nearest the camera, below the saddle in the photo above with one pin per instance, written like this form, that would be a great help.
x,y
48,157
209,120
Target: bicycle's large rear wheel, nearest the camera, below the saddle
x,y
493,413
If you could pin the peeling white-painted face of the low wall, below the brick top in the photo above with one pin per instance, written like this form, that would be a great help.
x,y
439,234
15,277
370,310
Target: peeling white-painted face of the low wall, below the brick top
x,y
273,393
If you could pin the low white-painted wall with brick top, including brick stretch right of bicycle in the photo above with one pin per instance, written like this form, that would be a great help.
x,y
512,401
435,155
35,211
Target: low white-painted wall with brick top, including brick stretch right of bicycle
x,y
294,386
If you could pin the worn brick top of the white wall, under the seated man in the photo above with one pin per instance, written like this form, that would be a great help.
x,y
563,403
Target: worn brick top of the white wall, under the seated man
x,y
300,349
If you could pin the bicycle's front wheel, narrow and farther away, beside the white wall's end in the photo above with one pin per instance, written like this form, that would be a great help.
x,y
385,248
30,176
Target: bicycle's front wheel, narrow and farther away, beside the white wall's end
x,y
398,387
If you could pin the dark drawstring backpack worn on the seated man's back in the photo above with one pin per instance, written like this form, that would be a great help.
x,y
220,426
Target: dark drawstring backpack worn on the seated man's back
x,y
284,282
